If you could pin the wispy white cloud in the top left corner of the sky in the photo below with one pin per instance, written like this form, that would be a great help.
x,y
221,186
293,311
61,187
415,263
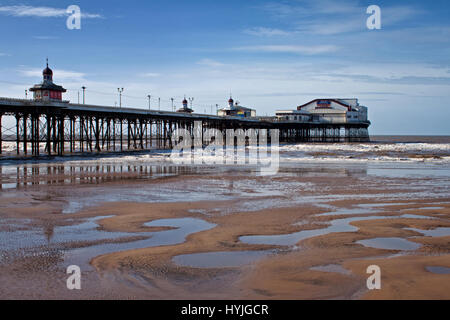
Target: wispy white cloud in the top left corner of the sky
x,y
41,12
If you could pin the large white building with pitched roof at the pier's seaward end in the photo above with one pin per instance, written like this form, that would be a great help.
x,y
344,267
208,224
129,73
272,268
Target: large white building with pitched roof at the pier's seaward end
x,y
327,111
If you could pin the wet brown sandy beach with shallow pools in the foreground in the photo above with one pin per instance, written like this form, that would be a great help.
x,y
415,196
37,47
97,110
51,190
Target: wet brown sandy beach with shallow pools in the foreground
x,y
296,235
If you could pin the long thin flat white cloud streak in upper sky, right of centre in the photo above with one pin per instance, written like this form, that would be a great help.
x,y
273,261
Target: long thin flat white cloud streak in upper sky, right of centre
x,y
306,50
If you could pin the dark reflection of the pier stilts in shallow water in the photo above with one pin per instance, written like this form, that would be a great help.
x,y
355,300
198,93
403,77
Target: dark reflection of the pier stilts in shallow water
x,y
78,173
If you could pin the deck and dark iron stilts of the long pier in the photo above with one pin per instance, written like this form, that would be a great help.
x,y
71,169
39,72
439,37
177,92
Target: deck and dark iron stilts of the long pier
x,y
57,128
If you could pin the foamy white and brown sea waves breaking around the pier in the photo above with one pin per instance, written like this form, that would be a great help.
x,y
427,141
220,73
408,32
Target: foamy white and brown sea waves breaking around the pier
x,y
431,149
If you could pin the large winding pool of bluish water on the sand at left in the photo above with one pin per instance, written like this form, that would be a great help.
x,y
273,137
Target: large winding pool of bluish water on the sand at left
x,y
92,242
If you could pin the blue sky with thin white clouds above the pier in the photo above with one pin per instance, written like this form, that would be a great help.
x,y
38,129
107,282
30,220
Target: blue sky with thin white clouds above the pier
x,y
270,55
